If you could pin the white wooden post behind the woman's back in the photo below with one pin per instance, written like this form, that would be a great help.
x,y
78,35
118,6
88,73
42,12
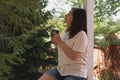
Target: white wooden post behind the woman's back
x,y
88,6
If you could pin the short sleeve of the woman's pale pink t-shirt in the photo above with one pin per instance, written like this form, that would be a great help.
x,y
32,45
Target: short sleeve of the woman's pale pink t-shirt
x,y
80,42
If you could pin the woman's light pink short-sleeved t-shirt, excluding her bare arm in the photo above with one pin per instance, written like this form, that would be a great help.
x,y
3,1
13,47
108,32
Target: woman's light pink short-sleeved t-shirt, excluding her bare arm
x,y
67,66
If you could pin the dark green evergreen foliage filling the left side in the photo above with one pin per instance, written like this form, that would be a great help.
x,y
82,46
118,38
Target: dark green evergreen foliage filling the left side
x,y
24,39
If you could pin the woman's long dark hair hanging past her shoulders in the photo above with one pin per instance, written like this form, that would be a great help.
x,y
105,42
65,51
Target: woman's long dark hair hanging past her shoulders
x,y
78,23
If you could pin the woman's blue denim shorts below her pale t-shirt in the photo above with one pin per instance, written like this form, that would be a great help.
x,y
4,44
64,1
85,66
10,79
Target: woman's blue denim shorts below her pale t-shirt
x,y
56,75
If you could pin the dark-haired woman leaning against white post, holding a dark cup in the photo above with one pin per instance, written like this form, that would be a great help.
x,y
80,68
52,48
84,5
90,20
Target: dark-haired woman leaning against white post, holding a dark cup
x,y
72,55
